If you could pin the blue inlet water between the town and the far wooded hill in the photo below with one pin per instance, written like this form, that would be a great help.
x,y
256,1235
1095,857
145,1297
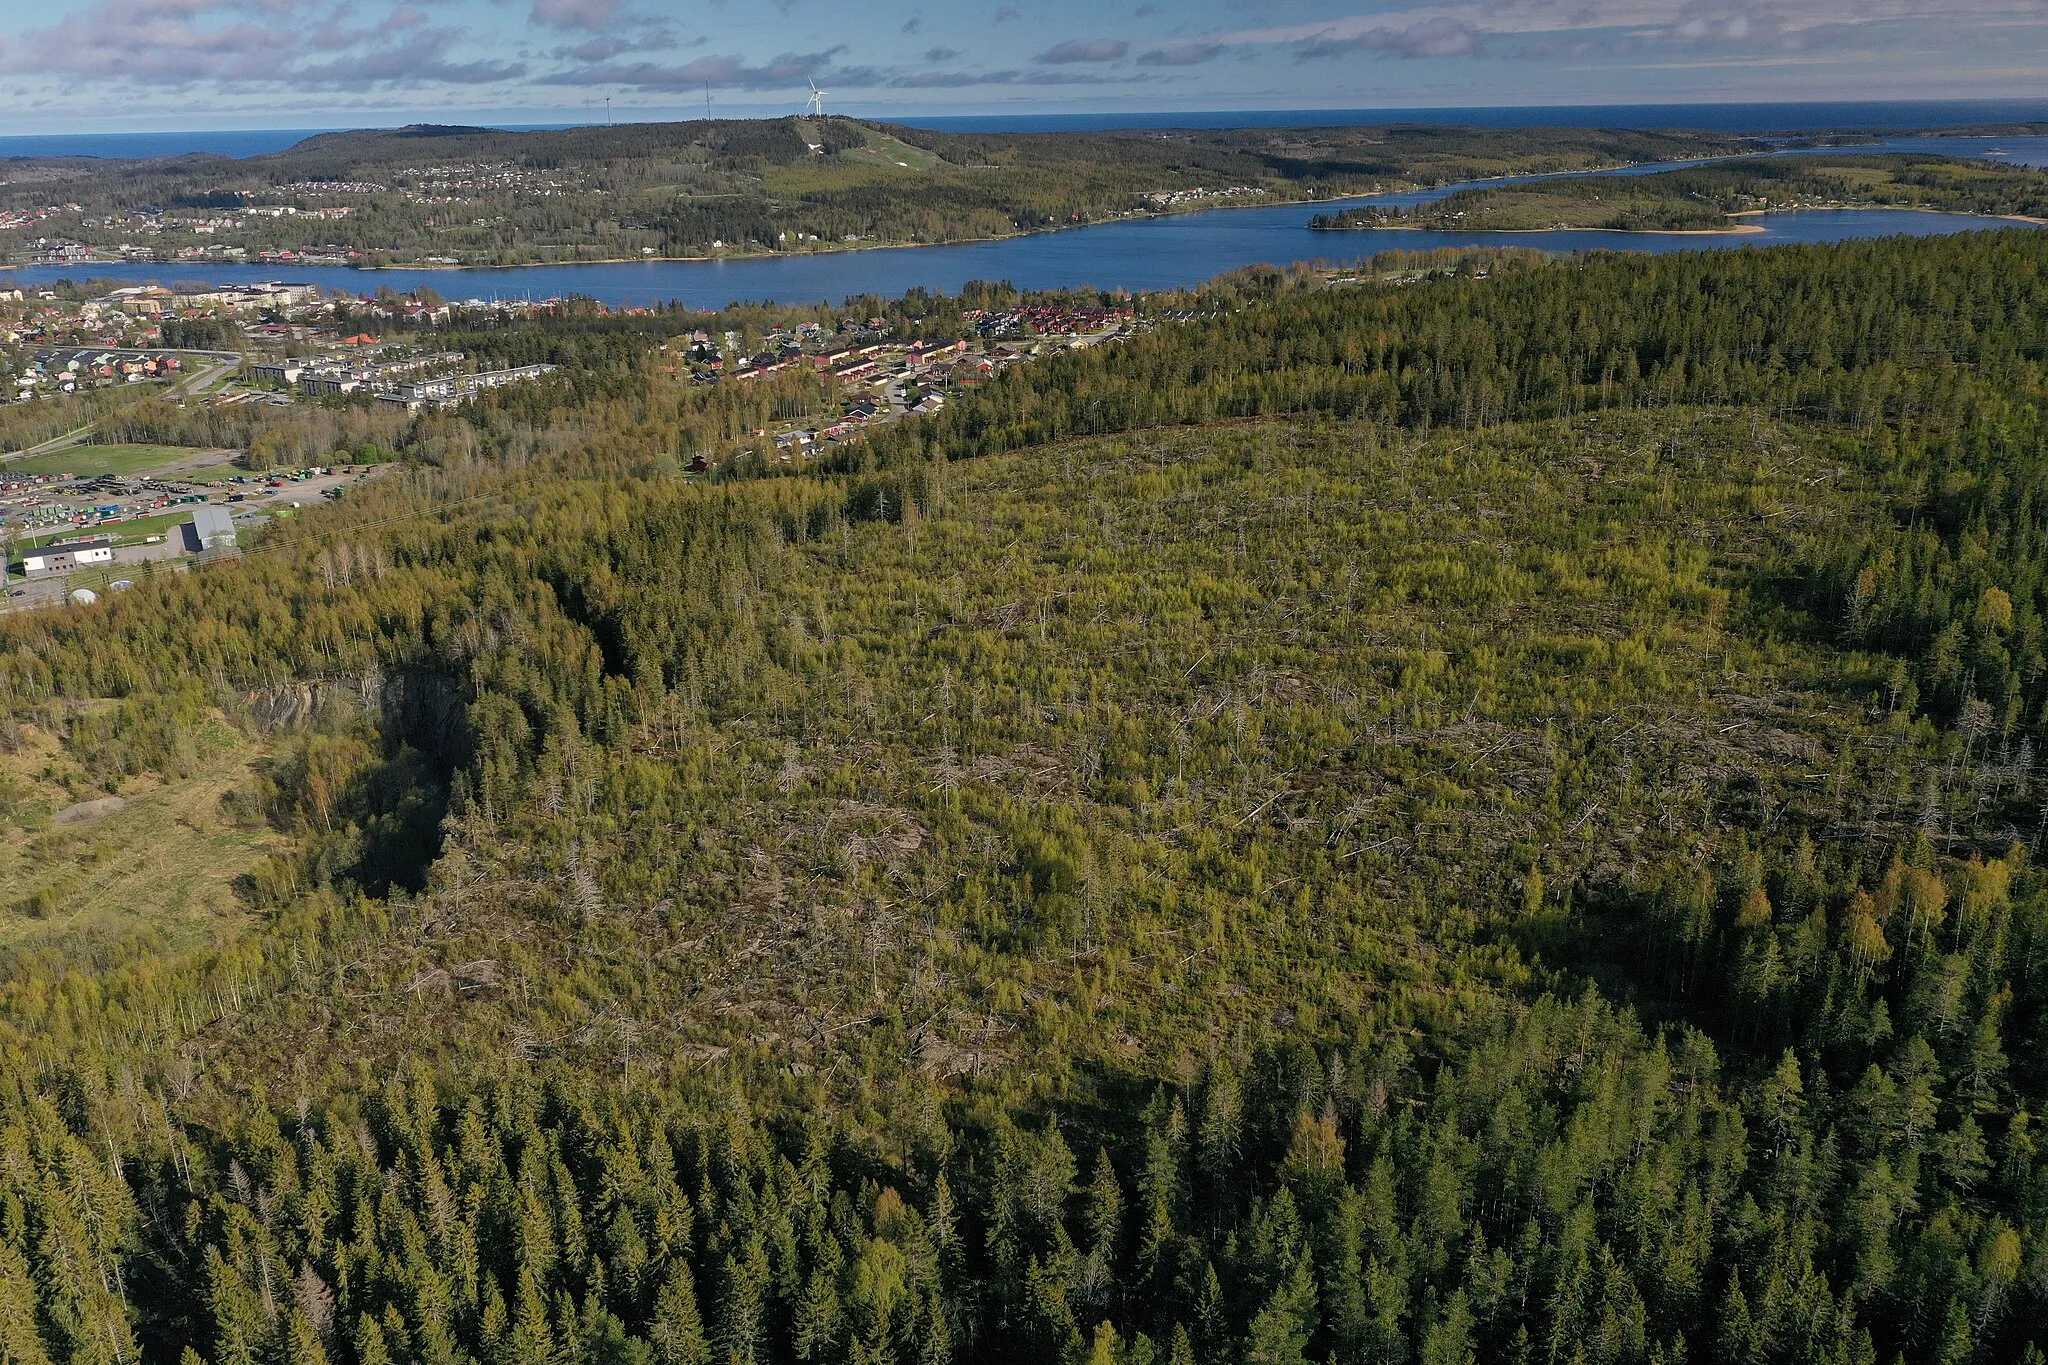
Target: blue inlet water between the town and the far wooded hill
x,y
1138,255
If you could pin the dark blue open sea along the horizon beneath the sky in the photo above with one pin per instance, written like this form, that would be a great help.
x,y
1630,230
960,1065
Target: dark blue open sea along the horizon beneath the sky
x,y
1762,118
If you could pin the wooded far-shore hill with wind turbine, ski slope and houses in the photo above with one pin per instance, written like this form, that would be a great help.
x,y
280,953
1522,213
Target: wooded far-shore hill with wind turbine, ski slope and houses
x,y
484,197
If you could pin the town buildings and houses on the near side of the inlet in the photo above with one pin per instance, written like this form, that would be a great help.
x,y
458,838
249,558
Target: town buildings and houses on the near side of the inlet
x,y
79,511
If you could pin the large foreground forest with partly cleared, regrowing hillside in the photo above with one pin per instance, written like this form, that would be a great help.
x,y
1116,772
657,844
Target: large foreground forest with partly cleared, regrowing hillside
x,y
1486,811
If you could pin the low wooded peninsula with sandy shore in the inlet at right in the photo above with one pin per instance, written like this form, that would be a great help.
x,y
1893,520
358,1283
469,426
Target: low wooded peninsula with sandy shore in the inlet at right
x,y
1715,197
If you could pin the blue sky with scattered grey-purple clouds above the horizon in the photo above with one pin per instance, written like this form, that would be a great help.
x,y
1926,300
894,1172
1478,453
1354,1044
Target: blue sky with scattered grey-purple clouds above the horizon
x,y
134,64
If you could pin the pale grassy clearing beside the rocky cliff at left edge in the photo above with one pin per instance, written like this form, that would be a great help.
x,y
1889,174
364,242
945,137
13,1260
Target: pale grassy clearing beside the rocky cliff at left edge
x,y
153,858
